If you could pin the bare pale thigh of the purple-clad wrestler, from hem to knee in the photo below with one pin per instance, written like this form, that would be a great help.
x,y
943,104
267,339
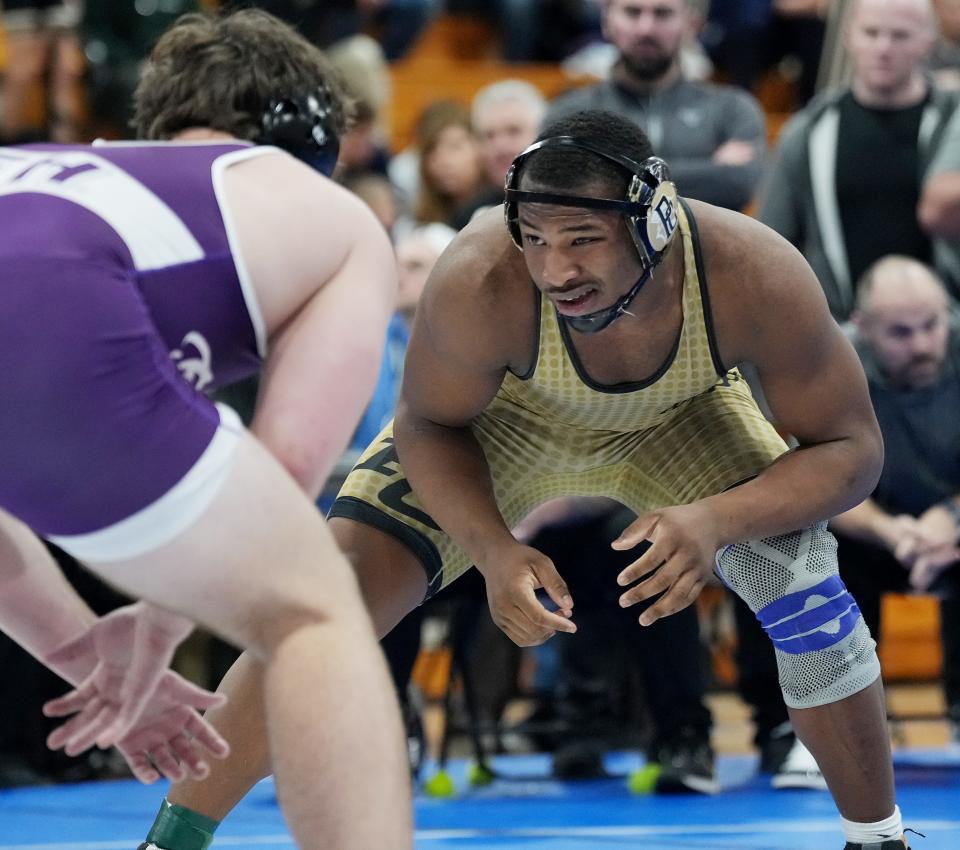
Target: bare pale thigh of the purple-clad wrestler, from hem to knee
x,y
256,563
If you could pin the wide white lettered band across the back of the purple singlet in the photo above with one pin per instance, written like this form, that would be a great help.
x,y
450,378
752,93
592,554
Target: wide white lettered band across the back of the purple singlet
x,y
152,232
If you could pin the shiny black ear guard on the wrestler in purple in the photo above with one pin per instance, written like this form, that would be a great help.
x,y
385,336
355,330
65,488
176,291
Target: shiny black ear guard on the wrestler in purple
x,y
303,126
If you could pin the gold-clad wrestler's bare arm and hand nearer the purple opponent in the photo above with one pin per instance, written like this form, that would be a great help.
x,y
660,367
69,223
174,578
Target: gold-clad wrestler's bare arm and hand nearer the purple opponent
x,y
476,307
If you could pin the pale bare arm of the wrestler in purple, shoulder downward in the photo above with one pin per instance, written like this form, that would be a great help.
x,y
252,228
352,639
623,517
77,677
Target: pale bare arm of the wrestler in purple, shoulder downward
x,y
325,275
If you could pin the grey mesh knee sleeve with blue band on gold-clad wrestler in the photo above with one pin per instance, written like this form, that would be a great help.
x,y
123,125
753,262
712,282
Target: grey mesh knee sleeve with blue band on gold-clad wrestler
x,y
791,582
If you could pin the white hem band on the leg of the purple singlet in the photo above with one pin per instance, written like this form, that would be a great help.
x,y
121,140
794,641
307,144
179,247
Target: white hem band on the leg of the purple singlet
x,y
170,515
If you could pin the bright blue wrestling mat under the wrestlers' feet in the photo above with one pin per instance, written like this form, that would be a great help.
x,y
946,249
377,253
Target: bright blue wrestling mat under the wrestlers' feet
x,y
523,809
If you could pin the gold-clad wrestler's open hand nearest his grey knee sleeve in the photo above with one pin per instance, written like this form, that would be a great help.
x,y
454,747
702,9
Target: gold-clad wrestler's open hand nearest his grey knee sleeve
x,y
683,545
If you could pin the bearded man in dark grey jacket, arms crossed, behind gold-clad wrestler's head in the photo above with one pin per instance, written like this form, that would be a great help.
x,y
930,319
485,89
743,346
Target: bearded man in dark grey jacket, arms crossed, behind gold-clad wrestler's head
x,y
713,136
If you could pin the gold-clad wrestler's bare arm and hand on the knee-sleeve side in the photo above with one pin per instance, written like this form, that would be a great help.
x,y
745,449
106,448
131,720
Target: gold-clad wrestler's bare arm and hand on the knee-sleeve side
x,y
768,310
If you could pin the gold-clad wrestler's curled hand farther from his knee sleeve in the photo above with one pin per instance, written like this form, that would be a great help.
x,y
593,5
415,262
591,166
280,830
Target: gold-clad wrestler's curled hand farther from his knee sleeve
x,y
513,575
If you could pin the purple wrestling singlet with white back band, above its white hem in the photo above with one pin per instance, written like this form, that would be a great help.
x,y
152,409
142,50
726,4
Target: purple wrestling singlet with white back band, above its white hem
x,y
122,303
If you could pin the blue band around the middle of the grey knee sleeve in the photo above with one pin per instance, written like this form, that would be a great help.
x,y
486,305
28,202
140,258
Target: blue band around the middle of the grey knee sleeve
x,y
812,619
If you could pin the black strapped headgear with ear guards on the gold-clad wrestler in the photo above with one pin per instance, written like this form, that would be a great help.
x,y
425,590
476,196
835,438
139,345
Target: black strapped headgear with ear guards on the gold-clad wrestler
x,y
649,208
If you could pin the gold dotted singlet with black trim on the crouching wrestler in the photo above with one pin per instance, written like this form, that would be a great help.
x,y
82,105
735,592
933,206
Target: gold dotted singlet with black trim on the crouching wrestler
x,y
690,430
